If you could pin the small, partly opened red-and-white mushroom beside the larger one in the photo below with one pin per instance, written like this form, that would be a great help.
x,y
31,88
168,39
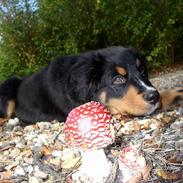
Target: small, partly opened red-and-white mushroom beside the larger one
x,y
132,165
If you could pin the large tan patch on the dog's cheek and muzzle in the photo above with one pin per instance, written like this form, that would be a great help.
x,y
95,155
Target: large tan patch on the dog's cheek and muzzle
x,y
132,103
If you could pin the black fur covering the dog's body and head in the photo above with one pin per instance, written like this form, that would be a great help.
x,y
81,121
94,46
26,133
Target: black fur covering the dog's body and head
x,y
69,81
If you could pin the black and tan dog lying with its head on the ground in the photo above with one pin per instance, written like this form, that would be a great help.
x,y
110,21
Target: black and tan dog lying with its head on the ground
x,y
116,77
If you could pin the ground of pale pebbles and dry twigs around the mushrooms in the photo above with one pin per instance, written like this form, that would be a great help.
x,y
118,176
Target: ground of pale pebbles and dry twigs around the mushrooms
x,y
37,153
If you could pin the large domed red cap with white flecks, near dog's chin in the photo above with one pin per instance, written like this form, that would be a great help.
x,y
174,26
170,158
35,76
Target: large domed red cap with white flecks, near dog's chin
x,y
89,126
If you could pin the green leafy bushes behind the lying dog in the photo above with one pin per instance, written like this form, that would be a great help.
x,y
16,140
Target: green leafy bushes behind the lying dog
x,y
34,32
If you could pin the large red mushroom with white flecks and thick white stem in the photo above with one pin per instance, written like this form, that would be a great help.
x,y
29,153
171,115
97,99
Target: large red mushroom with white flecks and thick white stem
x,y
89,128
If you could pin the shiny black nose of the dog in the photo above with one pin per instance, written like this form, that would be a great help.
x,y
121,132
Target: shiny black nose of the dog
x,y
152,97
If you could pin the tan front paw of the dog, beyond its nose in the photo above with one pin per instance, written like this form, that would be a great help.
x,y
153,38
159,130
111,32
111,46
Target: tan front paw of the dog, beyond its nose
x,y
168,97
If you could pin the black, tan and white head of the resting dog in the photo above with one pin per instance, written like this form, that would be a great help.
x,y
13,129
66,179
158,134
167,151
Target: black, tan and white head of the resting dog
x,y
124,86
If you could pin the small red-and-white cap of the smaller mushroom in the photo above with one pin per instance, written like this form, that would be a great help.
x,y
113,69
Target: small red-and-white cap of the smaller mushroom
x,y
131,157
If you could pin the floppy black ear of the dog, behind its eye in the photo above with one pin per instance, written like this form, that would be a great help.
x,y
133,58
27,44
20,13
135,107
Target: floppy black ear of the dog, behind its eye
x,y
84,84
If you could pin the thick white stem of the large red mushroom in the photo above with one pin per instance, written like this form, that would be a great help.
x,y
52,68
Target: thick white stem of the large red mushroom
x,y
95,165
